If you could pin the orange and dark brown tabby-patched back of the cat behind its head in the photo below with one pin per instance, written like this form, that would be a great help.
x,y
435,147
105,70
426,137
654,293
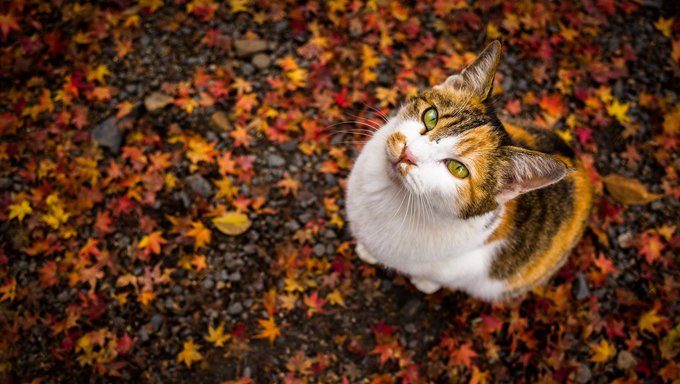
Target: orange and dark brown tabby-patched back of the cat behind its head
x,y
542,226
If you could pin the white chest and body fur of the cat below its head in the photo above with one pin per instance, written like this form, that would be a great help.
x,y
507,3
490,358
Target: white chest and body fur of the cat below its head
x,y
402,230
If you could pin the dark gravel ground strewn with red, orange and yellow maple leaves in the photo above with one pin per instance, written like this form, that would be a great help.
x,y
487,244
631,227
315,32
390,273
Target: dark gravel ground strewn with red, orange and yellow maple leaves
x,y
172,176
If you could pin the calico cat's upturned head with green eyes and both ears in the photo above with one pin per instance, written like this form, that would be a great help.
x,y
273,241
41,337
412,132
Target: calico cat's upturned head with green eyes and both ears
x,y
446,145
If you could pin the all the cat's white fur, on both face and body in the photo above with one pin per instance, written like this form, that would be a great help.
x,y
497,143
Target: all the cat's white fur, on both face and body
x,y
410,223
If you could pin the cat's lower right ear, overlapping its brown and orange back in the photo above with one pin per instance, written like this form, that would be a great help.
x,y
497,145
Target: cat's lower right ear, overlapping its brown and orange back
x,y
525,170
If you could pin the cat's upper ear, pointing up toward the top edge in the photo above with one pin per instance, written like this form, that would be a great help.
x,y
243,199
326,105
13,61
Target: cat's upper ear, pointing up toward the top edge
x,y
478,76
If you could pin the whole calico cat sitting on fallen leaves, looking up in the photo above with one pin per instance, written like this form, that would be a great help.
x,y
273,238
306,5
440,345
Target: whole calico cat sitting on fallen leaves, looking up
x,y
451,196
